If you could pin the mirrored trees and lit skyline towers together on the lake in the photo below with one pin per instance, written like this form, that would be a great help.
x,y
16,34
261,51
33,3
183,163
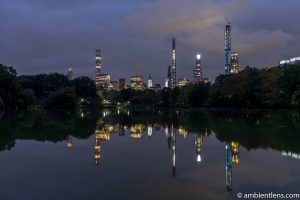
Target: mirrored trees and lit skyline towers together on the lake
x,y
234,129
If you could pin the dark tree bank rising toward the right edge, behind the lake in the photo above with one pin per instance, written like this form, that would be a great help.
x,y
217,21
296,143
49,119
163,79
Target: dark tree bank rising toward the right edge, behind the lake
x,y
277,87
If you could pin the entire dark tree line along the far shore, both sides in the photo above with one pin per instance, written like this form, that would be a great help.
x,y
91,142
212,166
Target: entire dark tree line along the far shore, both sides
x,y
277,87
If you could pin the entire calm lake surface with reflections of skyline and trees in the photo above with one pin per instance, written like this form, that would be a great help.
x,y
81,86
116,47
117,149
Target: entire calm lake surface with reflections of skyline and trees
x,y
148,154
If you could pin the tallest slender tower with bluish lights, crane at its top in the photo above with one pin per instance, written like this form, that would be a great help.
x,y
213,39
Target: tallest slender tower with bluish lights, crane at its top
x,y
228,48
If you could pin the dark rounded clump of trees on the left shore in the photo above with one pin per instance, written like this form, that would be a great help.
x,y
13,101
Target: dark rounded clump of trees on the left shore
x,y
53,91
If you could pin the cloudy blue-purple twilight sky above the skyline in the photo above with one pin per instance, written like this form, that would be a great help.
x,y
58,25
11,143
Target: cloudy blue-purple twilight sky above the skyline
x,y
42,36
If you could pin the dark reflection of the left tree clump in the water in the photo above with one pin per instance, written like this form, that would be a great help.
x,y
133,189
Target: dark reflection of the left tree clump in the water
x,y
40,126
